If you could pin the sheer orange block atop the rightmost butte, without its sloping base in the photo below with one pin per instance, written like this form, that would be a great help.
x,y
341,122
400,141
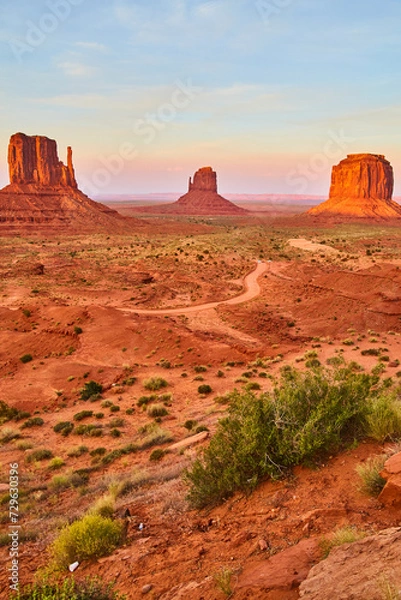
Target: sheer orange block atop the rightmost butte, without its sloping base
x,y
363,176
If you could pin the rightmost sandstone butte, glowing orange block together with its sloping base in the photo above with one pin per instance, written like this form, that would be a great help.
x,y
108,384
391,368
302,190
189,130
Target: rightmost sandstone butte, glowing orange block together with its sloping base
x,y
361,187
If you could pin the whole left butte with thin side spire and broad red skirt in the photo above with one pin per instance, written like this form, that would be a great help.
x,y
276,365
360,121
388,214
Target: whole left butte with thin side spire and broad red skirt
x,y
44,192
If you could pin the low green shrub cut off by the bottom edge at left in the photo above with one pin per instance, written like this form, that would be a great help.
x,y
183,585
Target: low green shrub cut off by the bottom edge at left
x,y
89,589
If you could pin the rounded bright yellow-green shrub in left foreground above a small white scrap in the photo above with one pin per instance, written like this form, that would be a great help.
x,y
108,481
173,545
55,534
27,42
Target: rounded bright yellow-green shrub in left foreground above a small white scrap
x,y
93,536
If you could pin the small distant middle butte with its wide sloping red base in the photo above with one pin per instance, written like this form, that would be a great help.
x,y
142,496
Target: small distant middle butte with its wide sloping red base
x,y
202,198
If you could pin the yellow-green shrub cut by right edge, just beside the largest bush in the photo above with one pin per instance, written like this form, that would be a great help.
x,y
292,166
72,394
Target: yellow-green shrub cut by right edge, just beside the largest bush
x,y
384,417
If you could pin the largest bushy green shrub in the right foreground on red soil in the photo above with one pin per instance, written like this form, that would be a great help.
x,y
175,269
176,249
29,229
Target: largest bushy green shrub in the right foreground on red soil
x,y
305,414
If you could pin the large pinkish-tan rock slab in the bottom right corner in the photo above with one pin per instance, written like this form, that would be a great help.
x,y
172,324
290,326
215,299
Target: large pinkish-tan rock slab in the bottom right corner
x,y
368,568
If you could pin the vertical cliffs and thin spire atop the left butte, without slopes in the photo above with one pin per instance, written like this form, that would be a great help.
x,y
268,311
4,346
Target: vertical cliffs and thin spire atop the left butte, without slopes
x,y
34,160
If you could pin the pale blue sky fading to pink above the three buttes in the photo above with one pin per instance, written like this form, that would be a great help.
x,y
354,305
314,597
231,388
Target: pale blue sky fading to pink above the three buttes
x,y
270,93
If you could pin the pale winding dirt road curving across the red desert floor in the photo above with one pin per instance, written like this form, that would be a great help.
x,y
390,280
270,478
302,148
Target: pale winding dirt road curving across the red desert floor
x,y
252,290
